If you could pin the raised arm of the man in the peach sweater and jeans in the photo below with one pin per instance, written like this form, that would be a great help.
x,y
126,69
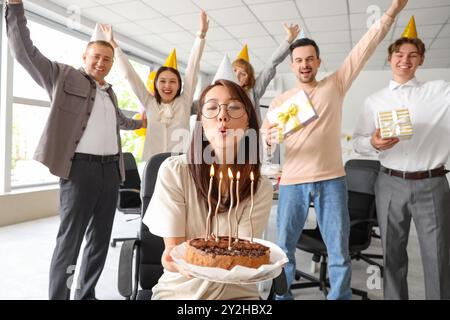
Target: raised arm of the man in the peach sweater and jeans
x,y
366,46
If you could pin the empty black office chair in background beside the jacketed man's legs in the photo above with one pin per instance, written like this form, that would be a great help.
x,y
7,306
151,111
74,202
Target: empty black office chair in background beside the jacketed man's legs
x,y
129,201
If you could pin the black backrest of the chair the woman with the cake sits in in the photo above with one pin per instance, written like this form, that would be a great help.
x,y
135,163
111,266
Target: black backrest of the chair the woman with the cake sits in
x,y
152,246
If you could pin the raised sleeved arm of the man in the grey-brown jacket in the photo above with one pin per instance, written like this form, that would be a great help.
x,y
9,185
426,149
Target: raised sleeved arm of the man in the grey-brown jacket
x,y
41,69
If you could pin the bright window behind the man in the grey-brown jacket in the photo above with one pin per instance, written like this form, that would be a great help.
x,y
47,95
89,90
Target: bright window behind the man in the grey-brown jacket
x,y
29,116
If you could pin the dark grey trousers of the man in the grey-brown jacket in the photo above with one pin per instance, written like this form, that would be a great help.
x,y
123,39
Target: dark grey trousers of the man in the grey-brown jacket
x,y
87,207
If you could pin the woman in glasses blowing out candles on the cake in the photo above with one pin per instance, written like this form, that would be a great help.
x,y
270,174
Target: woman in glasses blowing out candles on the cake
x,y
178,209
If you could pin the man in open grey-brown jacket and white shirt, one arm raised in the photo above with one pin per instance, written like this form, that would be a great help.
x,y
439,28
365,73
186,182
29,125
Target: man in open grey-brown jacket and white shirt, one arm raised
x,y
81,145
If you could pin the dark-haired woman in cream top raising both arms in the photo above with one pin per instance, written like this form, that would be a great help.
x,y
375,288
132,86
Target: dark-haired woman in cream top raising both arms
x,y
168,111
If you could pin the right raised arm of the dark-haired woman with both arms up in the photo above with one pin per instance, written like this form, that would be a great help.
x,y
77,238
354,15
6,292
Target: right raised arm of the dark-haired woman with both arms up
x,y
193,66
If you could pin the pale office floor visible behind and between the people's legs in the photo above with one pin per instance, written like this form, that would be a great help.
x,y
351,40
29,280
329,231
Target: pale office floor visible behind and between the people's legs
x,y
26,250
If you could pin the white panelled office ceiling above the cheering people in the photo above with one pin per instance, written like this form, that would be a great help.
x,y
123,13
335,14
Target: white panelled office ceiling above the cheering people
x,y
336,25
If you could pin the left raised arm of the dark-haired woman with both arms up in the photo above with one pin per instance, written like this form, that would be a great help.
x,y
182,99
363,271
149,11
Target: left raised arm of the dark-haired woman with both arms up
x,y
126,69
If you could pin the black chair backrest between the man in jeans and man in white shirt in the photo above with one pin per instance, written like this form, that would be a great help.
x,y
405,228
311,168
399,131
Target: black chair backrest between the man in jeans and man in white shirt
x,y
361,176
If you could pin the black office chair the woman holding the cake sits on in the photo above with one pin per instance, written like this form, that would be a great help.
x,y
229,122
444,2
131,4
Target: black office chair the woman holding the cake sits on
x,y
140,259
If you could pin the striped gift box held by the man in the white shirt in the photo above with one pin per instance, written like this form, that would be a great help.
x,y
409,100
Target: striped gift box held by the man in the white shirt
x,y
395,124
